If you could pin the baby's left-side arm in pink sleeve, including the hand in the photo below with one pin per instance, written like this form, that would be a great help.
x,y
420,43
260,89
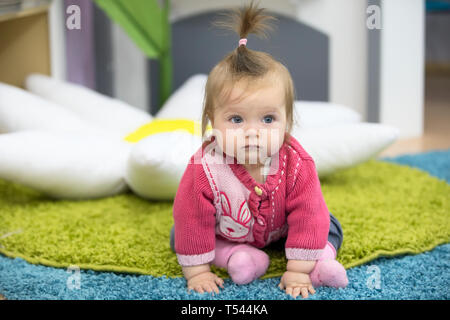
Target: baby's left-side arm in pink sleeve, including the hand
x,y
194,232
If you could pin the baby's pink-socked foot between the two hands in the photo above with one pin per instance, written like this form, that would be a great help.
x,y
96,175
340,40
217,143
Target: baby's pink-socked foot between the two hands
x,y
243,262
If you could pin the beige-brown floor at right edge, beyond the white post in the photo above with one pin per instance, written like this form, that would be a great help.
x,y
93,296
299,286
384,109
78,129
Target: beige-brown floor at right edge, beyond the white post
x,y
436,120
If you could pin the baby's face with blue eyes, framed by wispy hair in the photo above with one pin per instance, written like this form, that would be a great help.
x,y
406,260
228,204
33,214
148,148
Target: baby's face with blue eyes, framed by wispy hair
x,y
251,128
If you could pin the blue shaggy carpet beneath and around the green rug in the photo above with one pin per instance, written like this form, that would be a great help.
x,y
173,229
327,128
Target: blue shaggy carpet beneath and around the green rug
x,y
423,276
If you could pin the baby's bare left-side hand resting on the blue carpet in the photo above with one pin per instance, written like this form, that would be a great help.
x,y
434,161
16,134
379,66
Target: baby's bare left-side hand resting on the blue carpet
x,y
200,278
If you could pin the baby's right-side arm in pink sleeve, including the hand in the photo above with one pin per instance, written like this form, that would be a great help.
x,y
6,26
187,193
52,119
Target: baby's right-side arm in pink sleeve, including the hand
x,y
308,221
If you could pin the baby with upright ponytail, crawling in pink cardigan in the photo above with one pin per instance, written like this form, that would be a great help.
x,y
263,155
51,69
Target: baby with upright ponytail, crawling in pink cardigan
x,y
251,183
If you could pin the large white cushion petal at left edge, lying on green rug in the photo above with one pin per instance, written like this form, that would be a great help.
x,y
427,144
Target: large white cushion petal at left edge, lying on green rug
x,y
64,165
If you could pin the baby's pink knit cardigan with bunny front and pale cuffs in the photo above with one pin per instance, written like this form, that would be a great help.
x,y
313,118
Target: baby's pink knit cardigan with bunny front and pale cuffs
x,y
218,197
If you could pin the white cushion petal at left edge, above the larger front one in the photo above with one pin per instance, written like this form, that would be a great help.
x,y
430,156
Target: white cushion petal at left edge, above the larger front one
x,y
21,110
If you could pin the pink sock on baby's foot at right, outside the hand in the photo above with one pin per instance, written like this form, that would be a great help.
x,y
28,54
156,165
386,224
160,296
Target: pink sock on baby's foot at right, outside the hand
x,y
328,271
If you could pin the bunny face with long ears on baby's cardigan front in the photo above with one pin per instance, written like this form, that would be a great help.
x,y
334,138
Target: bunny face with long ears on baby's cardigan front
x,y
234,224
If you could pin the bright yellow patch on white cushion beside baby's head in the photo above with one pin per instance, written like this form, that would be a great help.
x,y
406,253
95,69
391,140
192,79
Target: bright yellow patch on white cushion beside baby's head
x,y
166,125
